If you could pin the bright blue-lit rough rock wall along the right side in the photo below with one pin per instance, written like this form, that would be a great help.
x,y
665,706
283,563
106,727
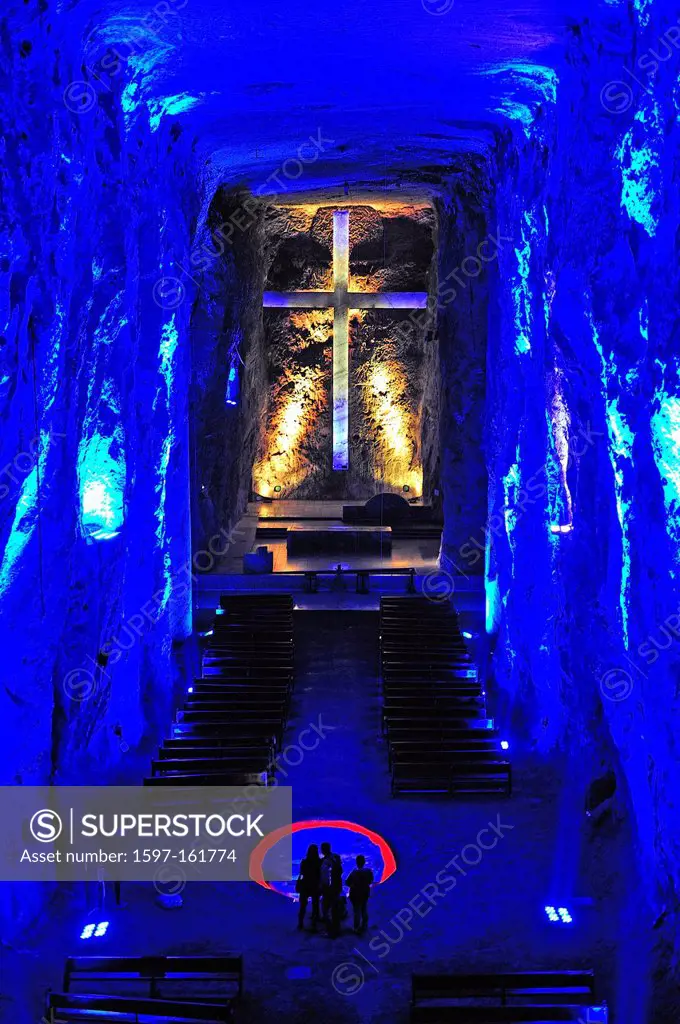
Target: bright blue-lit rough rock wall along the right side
x,y
584,409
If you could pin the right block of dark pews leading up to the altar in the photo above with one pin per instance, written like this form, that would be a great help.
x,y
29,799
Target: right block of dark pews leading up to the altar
x,y
440,738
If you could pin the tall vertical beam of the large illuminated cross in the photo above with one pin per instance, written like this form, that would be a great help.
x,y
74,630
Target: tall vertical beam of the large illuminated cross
x,y
341,340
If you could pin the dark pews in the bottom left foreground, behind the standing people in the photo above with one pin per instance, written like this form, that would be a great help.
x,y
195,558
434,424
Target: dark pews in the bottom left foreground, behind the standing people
x,y
153,990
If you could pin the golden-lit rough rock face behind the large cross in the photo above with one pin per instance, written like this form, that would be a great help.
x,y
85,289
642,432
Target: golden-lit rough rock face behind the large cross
x,y
392,249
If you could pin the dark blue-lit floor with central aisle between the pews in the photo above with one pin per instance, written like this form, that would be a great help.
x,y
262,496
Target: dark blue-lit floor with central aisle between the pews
x,y
493,919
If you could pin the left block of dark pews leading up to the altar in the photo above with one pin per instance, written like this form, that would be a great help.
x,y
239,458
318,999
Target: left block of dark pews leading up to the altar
x,y
233,721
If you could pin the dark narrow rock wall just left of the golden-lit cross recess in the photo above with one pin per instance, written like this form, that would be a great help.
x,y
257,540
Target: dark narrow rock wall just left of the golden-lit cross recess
x,y
227,336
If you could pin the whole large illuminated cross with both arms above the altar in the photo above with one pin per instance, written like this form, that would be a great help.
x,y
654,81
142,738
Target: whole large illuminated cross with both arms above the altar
x,y
343,301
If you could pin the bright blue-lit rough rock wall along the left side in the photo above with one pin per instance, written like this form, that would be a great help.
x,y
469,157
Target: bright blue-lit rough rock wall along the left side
x,y
95,530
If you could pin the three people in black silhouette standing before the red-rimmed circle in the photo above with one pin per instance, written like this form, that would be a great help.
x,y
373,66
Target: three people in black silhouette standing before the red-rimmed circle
x,y
321,881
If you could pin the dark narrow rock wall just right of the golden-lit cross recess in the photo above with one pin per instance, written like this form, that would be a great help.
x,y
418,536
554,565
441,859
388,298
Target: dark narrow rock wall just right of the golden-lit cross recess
x,y
469,259
